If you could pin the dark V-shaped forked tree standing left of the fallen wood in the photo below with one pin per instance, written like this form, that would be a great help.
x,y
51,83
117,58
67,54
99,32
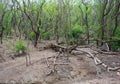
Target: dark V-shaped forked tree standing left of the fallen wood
x,y
33,12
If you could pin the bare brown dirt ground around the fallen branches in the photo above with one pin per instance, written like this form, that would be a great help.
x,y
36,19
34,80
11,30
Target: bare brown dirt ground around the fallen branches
x,y
78,69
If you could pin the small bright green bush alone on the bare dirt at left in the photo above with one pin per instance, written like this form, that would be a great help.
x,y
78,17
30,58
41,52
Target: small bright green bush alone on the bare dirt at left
x,y
20,46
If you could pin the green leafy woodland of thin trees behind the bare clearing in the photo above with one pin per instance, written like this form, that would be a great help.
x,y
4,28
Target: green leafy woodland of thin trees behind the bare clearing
x,y
75,21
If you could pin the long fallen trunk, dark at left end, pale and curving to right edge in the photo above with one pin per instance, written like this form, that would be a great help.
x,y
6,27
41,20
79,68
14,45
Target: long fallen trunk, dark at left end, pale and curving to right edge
x,y
96,60
